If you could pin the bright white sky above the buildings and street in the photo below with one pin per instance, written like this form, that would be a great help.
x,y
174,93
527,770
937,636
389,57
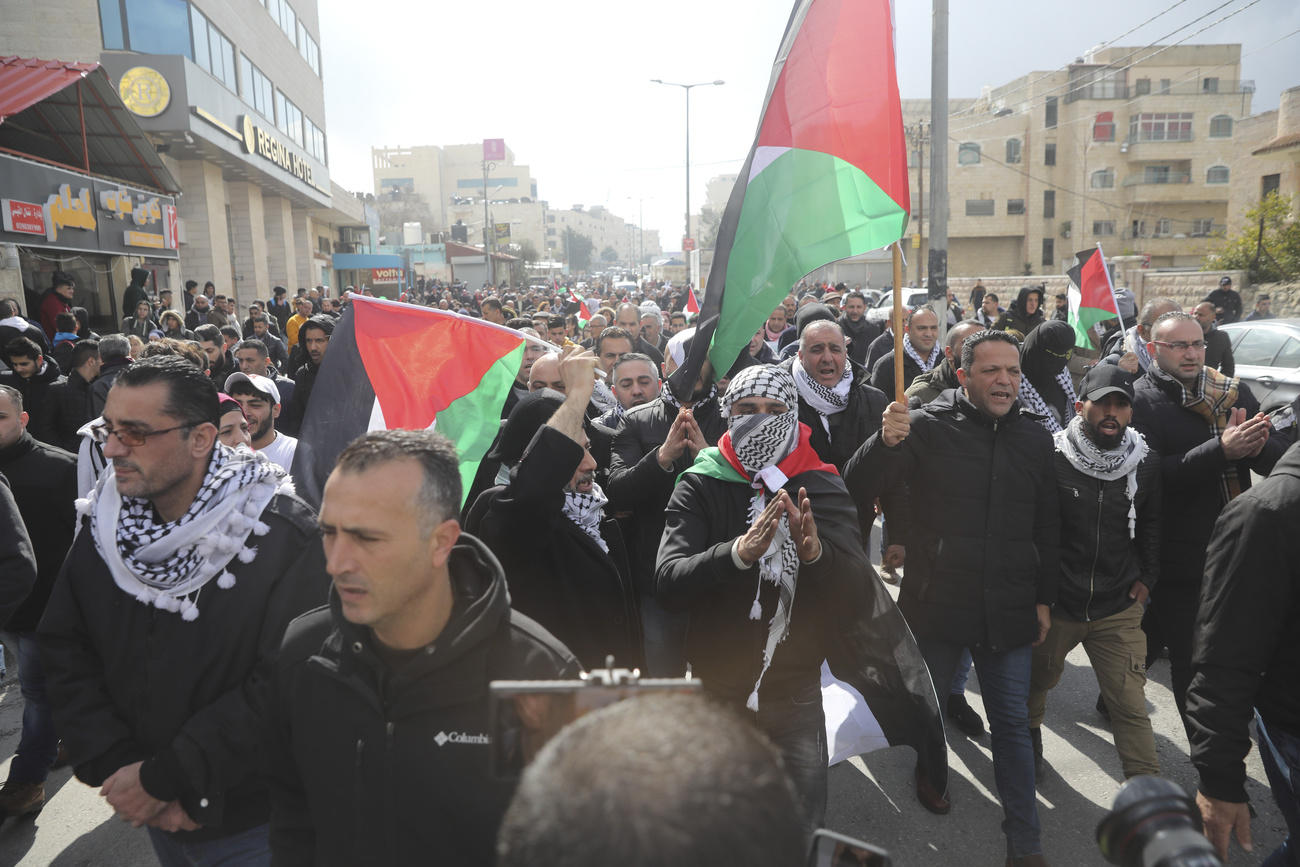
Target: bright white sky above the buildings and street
x,y
567,84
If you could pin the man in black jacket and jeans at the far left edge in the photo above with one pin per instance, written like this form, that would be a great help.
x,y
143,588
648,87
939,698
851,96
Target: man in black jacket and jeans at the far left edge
x,y
45,487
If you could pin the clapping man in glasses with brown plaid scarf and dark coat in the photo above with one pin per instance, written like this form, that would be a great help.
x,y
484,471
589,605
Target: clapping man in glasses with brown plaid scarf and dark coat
x,y
1211,435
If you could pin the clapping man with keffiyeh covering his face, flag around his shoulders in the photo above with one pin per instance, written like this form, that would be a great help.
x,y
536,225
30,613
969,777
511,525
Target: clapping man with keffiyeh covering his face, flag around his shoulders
x,y
759,536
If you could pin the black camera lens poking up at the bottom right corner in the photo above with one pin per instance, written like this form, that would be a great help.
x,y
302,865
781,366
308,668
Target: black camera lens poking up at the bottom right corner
x,y
1154,823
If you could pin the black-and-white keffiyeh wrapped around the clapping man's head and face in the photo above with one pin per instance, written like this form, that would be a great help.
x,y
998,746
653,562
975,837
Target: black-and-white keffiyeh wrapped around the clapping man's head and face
x,y
762,441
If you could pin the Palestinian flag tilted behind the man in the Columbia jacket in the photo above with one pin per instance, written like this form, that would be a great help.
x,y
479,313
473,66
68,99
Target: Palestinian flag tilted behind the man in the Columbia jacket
x,y
397,366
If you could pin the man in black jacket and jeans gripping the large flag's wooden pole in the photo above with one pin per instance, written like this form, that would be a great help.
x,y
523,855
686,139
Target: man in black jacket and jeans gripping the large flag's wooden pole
x,y
983,560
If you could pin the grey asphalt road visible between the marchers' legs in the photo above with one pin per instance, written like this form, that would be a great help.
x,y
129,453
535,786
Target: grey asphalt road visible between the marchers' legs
x,y
870,797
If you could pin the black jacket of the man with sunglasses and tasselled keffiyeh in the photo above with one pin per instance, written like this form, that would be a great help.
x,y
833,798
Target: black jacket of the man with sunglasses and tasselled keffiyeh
x,y
131,683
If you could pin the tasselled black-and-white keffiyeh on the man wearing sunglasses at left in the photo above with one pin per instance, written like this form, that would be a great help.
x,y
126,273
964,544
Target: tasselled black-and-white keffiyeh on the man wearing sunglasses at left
x,y
168,563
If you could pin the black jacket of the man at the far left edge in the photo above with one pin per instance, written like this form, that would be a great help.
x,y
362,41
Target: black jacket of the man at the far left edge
x,y
44,480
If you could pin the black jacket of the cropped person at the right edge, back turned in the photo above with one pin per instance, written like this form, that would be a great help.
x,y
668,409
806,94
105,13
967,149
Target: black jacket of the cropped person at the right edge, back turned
x,y
1247,649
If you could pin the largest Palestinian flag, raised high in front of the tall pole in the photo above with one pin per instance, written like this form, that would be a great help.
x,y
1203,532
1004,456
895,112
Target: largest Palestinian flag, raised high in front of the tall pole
x,y
827,176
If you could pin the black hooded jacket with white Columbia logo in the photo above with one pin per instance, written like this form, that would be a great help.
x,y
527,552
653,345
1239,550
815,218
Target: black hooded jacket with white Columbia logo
x,y
375,764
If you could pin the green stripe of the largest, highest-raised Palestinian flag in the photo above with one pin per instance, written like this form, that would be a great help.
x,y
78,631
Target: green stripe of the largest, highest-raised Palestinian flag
x,y
801,213
